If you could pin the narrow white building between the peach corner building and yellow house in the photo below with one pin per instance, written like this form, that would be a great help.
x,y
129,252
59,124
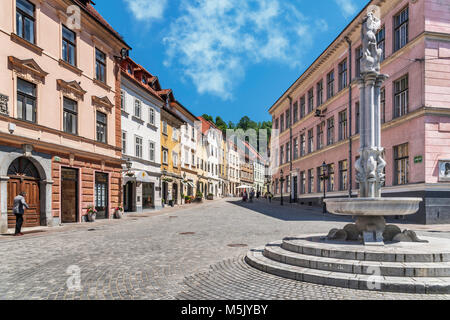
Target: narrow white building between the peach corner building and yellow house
x,y
141,144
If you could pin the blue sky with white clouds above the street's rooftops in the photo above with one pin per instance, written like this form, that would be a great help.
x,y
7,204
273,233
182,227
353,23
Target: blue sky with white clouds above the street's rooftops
x,y
228,58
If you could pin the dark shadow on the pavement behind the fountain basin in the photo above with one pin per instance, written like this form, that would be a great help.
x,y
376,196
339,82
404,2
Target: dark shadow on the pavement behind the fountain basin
x,y
288,213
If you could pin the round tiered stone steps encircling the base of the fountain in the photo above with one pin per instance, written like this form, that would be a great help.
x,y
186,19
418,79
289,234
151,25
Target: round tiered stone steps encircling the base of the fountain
x,y
327,265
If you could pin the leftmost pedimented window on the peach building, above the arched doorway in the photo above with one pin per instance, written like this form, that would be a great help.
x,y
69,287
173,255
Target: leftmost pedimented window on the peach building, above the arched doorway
x,y
26,100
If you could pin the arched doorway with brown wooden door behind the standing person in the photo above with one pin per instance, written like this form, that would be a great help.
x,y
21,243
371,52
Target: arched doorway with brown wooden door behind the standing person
x,y
23,176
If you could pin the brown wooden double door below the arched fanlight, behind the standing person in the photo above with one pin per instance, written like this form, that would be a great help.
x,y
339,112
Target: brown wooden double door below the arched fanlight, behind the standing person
x,y
32,216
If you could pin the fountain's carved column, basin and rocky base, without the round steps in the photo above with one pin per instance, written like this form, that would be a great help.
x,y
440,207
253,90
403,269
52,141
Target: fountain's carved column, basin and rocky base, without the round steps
x,y
370,209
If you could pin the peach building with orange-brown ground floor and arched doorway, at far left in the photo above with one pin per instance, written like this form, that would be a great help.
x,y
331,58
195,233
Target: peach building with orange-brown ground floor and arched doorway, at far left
x,y
60,118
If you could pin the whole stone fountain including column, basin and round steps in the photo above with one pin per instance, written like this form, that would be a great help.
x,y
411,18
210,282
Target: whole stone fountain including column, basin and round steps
x,y
368,254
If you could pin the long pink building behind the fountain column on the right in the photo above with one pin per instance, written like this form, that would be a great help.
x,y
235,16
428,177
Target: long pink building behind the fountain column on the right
x,y
314,124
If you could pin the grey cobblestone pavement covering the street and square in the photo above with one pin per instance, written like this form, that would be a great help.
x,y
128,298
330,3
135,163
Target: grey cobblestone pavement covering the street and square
x,y
178,254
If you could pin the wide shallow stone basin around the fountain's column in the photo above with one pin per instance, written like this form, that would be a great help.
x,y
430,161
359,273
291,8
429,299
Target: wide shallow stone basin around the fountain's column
x,y
373,206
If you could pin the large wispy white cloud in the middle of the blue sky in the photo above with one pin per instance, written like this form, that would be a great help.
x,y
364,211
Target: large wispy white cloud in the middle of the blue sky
x,y
213,42
